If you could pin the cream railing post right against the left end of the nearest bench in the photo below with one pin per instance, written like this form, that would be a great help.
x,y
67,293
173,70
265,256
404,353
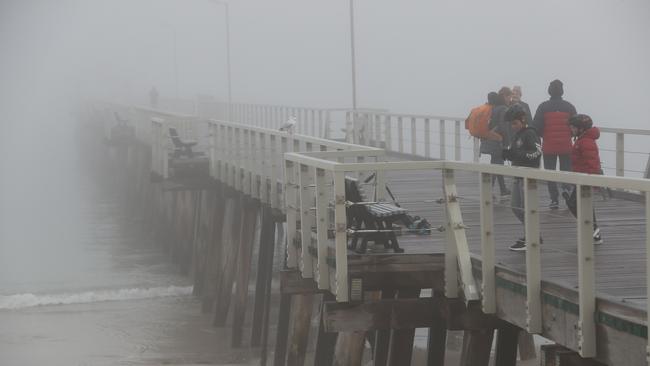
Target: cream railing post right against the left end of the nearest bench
x,y
341,238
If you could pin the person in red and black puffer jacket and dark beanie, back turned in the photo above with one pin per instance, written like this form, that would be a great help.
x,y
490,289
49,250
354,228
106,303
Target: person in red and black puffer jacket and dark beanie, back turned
x,y
550,121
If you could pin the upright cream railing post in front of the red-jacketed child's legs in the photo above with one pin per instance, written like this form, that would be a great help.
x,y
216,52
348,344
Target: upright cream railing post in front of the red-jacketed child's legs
x,y
586,274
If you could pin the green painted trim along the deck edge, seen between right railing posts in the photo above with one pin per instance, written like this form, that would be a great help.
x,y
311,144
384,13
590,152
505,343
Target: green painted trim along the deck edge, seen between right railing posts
x,y
608,320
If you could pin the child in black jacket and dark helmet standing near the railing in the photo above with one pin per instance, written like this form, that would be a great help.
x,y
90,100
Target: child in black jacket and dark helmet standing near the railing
x,y
525,150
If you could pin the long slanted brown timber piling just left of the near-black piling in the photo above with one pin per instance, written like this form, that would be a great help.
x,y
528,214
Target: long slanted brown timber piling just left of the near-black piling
x,y
249,227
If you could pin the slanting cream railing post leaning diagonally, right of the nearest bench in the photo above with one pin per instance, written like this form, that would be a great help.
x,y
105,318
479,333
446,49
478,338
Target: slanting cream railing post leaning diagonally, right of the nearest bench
x,y
457,238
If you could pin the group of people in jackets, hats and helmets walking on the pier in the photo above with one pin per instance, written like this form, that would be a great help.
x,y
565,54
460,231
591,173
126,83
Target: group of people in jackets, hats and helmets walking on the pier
x,y
557,133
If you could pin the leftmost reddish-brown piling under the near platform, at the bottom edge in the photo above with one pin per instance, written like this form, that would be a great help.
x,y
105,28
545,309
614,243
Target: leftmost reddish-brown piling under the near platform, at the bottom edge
x,y
299,335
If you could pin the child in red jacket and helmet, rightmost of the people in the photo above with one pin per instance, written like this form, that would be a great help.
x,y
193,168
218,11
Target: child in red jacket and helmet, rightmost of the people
x,y
584,159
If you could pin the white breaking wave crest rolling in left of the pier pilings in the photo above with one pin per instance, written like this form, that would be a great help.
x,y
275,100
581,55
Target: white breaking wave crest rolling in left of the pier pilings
x,y
19,301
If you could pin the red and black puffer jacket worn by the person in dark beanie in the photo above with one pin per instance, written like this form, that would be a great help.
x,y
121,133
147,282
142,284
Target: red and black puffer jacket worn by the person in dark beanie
x,y
551,121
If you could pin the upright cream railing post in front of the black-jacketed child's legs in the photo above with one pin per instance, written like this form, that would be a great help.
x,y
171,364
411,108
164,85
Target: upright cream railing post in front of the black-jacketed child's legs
x,y
533,258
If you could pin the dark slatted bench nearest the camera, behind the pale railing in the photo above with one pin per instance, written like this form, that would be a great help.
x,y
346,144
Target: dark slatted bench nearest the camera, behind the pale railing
x,y
371,221
